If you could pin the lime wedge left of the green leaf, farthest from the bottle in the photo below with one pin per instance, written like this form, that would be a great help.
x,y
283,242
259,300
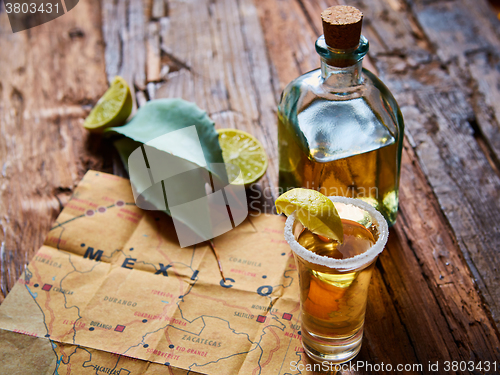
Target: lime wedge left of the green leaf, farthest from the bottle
x,y
112,109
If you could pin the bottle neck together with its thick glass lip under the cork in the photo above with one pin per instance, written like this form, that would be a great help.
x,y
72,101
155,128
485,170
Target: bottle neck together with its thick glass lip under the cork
x,y
341,68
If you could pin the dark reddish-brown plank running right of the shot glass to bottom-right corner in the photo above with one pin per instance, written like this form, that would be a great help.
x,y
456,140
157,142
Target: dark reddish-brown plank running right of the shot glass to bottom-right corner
x,y
426,240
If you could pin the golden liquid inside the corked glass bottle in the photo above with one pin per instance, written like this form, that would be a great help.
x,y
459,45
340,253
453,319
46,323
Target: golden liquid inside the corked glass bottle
x,y
369,176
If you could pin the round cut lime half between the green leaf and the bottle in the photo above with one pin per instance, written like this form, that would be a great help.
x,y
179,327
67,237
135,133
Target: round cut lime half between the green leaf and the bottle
x,y
242,152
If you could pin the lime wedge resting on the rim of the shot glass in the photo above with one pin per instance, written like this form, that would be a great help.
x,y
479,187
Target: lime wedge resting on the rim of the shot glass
x,y
315,211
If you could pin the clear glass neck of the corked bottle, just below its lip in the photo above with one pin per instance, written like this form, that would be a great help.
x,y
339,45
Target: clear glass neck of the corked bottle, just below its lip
x,y
337,77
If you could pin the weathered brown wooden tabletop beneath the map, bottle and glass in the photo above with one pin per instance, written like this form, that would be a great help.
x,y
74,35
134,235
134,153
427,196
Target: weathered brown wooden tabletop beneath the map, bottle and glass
x,y
435,295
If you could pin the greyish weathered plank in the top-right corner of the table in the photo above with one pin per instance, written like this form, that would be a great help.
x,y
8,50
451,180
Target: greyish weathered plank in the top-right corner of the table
x,y
467,34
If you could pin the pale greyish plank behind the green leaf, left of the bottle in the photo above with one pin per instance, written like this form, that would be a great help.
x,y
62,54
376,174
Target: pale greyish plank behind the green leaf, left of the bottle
x,y
220,63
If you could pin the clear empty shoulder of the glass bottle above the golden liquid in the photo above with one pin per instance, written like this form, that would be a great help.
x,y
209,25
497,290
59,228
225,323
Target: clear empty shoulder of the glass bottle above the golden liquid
x,y
337,121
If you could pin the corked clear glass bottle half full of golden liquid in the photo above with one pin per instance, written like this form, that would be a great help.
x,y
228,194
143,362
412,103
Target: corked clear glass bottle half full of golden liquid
x,y
340,130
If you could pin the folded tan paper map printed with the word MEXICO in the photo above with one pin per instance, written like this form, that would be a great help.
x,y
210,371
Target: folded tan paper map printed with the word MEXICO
x,y
111,292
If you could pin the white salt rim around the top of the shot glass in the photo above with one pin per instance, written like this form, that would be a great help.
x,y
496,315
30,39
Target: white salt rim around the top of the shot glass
x,y
348,263
